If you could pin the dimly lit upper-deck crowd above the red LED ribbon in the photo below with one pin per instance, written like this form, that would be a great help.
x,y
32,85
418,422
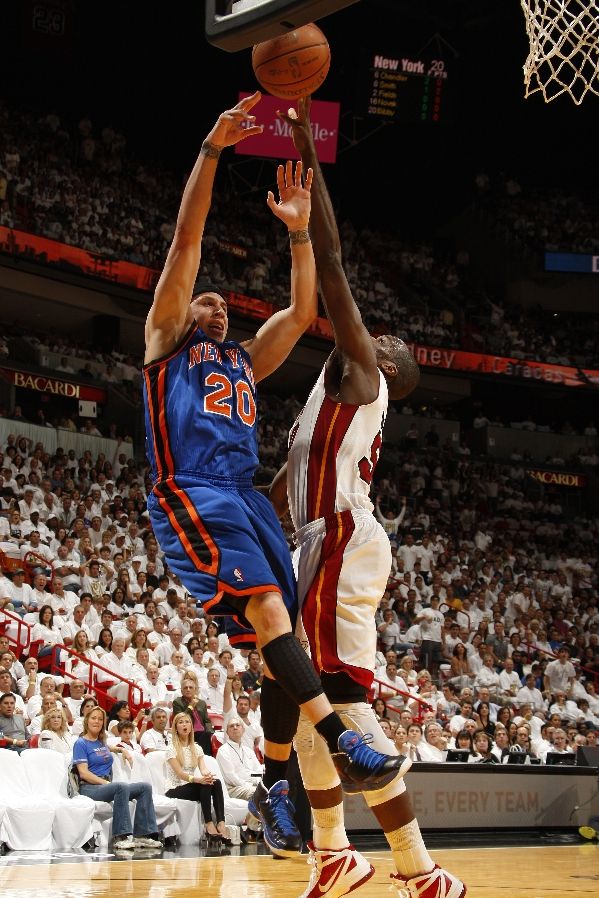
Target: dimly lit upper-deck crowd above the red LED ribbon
x,y
78,186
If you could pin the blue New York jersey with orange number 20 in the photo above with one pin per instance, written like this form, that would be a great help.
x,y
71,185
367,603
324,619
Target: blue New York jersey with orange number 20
x,y
200,411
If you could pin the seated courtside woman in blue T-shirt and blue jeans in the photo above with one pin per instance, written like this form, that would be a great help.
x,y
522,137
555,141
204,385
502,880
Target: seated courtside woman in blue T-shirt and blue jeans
x,y
93,759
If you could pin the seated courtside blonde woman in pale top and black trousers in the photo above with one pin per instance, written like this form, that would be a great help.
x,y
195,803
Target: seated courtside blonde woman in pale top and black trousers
x,y
188,778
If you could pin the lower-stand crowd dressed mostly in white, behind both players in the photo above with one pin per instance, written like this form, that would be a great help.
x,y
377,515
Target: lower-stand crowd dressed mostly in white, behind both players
x,y
490,581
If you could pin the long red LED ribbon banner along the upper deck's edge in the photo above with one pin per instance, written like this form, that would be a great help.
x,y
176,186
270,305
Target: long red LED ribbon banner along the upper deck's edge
x,y
44,251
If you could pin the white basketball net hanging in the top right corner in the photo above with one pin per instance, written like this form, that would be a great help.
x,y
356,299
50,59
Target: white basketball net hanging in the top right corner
x,y
564,48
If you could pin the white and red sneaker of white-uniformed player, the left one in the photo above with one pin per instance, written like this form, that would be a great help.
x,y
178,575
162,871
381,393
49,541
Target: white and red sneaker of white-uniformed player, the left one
x,y
336,873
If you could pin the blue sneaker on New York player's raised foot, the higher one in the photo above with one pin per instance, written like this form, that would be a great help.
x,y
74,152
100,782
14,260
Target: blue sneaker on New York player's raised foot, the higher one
x,y
361,768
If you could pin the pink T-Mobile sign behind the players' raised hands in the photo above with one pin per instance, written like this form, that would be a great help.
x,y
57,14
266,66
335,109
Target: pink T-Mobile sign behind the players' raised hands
x,y
275,141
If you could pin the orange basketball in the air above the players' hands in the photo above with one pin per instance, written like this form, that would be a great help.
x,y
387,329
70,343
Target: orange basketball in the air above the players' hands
x,y
293,65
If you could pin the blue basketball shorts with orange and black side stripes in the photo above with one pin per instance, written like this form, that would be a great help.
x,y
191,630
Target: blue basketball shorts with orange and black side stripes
x,y
223,541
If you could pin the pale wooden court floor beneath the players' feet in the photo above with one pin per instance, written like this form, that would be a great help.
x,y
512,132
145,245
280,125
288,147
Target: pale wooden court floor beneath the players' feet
x,y
543,872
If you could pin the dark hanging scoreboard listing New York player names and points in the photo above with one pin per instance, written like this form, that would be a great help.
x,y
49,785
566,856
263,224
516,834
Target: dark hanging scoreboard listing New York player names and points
x,y
404,88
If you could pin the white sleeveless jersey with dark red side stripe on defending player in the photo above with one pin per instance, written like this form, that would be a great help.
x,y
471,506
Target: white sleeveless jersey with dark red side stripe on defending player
x,y
333,451
